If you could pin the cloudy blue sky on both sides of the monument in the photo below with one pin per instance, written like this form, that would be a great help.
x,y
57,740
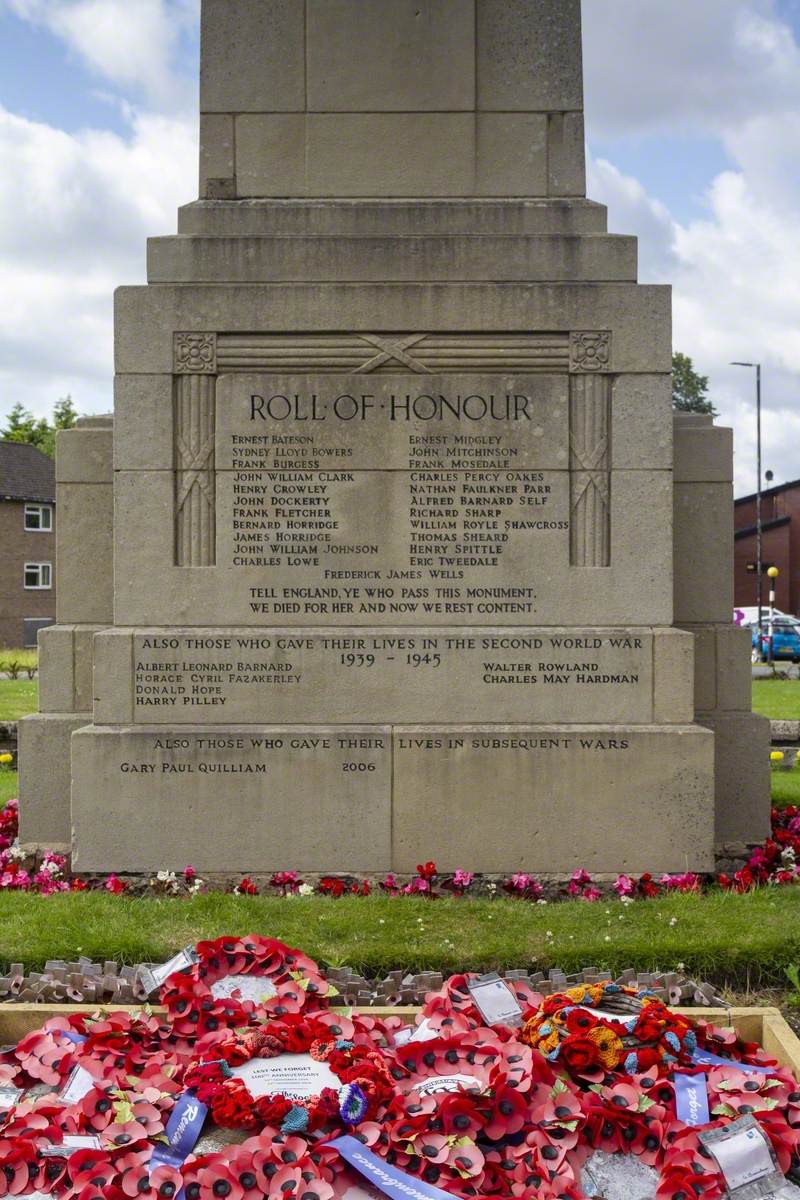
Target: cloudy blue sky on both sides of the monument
x,y
694,128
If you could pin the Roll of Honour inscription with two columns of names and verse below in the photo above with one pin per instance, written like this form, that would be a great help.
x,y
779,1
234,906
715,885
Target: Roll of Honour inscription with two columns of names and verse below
x,y
378,500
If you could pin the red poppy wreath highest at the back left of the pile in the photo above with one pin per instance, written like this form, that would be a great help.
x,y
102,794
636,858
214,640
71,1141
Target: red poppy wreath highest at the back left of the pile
x,y
195,998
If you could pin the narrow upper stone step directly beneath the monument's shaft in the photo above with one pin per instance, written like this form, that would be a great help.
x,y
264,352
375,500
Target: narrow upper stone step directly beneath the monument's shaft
x,y
347,219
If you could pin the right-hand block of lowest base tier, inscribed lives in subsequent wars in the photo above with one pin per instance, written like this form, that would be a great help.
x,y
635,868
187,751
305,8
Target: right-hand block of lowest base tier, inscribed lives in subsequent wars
x,y
543,799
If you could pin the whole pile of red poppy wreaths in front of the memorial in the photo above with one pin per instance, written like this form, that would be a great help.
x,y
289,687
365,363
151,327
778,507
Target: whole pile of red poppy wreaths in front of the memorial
x,y
489,1095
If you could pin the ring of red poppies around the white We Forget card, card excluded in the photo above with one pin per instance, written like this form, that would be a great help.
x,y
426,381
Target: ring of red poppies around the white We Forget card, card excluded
x,y
366,1085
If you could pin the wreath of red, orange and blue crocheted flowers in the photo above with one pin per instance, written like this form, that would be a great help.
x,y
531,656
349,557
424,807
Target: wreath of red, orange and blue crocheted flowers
x,y
585,1042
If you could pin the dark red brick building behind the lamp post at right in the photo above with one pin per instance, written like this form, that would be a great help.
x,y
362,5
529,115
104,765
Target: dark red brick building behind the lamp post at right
x,y
780,547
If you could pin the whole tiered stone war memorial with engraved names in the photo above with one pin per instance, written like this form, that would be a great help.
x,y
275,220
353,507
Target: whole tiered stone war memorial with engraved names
x,y
394,549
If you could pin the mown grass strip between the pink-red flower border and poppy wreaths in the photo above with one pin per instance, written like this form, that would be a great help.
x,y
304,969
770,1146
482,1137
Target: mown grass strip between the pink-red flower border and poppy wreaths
x,y
741,941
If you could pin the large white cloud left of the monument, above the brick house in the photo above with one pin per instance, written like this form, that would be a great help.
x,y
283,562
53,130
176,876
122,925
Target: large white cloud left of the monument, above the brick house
x,y
75,217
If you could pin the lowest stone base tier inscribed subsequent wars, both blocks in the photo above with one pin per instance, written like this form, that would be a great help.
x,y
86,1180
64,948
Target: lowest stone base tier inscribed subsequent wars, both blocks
x,y
363,800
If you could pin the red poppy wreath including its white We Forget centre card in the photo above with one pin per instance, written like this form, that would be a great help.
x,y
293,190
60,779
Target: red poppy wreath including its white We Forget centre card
x,y
299,1076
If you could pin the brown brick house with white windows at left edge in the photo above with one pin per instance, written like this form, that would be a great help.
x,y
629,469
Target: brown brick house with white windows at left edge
x,y
27,543
